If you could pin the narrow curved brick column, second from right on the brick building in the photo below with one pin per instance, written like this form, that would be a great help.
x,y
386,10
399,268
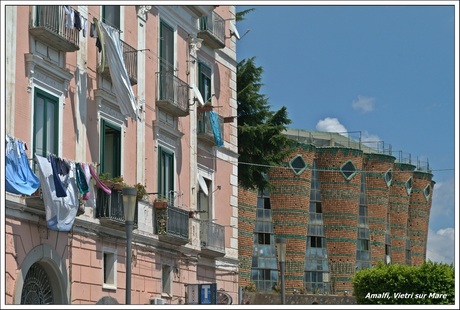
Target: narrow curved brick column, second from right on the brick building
x,y
399,211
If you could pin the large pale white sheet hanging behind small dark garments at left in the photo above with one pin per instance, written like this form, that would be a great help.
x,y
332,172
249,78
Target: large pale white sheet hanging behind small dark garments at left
x,y
60,211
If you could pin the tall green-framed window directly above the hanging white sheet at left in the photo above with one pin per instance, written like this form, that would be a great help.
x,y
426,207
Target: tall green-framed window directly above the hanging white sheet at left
x,y
45,124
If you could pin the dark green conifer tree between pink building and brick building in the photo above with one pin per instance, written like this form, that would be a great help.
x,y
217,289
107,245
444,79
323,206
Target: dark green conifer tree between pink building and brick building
x,y
261,143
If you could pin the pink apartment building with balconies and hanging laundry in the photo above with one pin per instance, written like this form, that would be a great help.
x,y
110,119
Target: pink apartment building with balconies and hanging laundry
x,y
143,95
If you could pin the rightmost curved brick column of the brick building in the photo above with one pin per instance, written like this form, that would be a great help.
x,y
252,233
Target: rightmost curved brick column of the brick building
x,y
419,215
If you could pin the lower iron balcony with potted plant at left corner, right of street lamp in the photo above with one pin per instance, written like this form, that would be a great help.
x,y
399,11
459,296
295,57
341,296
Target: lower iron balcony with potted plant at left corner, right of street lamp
x,y
172,224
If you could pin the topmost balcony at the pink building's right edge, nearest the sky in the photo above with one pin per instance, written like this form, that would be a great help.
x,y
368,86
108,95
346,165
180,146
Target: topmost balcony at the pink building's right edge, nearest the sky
x,y
212,30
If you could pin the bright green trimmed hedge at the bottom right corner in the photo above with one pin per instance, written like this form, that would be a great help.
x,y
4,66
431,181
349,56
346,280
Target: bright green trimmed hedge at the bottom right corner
x,y
429,283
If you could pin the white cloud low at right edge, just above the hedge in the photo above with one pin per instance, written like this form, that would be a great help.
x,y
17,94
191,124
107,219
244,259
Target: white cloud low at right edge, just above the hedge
x,y
440,245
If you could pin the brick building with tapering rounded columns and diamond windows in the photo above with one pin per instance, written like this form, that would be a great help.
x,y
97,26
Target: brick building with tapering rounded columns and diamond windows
x,y
341,206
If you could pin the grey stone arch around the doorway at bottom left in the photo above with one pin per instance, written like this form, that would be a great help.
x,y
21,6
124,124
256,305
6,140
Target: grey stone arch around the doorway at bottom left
x,y
55,268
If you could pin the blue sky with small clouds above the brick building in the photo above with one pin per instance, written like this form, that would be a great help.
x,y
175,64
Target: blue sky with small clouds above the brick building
x,y
385,72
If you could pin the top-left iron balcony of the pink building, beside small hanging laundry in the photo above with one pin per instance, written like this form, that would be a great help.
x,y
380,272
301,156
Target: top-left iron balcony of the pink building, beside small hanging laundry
x,y
48,26
